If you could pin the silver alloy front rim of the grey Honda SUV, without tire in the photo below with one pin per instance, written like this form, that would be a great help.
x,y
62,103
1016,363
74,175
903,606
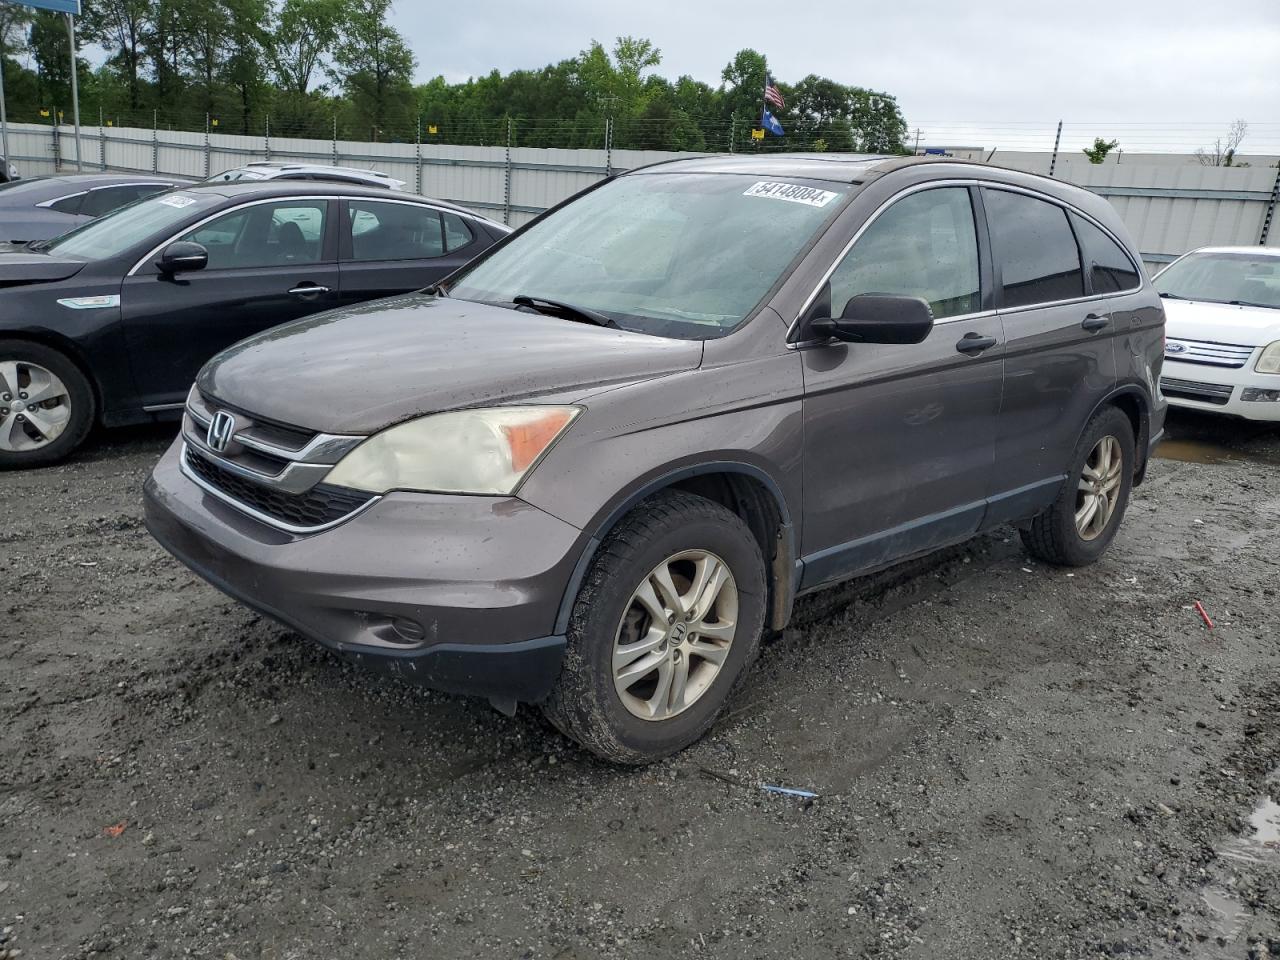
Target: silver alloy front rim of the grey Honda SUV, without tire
x,y
675,636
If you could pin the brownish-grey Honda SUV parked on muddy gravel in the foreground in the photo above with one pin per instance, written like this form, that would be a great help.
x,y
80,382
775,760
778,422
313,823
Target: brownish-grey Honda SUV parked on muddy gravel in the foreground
x,y
597,467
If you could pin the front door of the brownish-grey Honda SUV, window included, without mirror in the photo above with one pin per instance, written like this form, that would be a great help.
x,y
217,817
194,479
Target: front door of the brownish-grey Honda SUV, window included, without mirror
x,y
900,440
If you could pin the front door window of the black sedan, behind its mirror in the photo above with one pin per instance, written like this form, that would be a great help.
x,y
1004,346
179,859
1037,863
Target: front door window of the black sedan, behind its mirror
x,y
267,235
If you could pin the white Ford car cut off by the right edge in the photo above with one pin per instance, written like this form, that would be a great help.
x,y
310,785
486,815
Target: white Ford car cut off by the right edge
x,y
1223,332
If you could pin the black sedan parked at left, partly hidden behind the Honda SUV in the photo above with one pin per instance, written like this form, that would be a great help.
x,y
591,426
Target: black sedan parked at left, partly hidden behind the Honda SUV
x,y
111,323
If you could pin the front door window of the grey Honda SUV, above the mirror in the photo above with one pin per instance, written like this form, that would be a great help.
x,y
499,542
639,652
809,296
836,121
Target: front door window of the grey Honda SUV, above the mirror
x,y
924,246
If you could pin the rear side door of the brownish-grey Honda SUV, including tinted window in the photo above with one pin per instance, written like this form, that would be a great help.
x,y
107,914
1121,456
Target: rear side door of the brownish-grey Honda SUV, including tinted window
x,y
1060,355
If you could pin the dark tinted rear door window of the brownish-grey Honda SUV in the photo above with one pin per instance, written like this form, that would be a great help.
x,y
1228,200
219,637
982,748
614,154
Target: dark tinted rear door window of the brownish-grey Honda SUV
x,y
1035,249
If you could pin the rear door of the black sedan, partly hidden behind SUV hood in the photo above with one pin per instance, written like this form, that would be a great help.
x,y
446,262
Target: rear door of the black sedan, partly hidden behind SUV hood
x,y
397,246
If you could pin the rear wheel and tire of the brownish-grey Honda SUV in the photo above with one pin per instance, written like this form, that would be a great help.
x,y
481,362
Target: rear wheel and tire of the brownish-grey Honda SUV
x,y
1055,536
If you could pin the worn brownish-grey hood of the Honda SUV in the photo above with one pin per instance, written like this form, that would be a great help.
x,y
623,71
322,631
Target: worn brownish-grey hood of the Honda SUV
x,y
365,368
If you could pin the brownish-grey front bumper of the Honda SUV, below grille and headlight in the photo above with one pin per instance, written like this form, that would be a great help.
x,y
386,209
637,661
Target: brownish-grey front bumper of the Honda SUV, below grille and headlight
x,y
456,593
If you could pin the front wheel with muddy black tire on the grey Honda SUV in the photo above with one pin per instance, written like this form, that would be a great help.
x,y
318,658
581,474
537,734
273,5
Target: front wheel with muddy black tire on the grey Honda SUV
x,y
682,532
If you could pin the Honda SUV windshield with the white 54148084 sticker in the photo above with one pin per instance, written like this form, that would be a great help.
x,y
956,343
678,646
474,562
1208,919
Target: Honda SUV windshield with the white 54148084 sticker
x,y
676,255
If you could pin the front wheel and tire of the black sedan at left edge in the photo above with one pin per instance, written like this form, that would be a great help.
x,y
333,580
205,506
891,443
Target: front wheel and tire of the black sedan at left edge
x,y
72,410
